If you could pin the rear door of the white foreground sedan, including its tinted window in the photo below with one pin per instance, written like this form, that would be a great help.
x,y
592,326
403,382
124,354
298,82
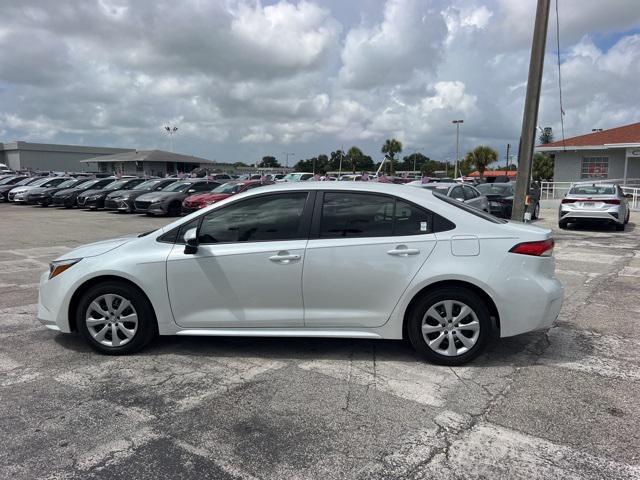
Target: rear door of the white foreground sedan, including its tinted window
x,y
364,250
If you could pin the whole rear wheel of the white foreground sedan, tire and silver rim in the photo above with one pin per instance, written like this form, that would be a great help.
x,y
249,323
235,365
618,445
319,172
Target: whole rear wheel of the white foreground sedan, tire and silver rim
x,y
449,326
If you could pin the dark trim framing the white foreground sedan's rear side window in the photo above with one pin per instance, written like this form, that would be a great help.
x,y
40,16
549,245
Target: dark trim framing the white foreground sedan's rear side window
x,y
319,202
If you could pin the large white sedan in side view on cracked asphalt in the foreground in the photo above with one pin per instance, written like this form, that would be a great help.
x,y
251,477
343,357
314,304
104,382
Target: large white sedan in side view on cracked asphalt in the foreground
x,y
371,260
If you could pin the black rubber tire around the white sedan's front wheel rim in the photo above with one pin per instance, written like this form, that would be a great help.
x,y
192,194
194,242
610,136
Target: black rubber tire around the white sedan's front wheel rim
x,y
147,326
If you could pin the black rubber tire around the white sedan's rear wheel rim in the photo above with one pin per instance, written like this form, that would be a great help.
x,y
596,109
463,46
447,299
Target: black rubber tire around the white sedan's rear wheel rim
x,y
463,295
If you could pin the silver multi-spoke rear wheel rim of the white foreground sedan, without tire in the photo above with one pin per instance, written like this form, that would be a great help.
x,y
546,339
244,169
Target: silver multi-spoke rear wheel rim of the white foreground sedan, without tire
x,y
450,328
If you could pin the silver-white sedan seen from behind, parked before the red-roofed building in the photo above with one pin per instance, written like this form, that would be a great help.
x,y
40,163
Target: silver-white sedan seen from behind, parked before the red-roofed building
x,y
603,202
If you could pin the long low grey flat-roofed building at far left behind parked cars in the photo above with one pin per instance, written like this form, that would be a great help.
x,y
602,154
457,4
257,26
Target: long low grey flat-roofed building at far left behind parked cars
x,y
50,157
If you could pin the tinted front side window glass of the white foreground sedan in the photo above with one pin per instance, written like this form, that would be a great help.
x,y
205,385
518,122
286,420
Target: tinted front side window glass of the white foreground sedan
x,y
263,218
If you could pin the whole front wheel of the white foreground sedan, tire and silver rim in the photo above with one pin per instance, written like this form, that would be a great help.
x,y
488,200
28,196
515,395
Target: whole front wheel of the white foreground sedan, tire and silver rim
x,y
115,318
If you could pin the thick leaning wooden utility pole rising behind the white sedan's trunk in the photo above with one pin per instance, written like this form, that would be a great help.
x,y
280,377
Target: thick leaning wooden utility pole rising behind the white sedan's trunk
x,y
531,104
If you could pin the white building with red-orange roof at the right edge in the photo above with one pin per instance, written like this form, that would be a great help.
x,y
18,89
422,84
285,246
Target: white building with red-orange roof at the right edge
x,y
605,154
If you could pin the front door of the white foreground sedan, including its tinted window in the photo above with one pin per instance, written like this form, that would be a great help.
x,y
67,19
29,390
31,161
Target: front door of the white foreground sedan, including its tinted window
x,y
247,271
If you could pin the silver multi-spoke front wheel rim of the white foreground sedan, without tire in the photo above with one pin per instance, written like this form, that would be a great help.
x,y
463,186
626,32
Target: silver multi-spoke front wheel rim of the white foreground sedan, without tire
x,y
111,320
